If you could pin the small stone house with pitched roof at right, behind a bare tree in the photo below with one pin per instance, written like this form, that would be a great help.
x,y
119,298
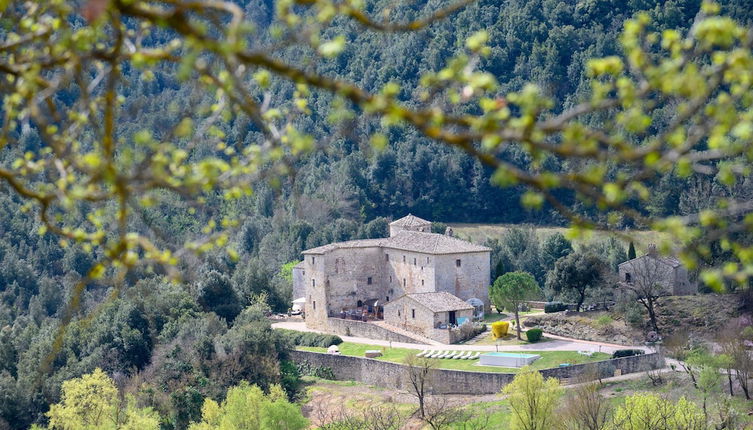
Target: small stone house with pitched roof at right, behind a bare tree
x,y
653,268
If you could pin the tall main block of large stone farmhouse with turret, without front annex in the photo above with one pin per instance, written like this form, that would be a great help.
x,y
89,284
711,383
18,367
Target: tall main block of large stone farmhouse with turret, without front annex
x,y
348,275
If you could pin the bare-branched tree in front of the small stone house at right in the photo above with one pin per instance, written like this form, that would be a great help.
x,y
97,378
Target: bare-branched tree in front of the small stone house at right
x,y
648,281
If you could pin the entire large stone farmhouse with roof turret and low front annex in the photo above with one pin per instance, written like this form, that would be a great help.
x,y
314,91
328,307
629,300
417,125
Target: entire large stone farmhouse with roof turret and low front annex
x,y
413,280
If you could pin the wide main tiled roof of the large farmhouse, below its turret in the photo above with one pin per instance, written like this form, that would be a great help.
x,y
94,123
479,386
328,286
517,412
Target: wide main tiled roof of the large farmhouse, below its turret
x,y
414,241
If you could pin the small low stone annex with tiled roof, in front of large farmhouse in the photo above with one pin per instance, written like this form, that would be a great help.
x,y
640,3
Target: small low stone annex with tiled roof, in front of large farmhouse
x,y
424,312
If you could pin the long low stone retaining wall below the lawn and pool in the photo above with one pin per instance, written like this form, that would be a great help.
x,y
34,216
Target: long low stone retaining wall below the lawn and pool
x,y
394,375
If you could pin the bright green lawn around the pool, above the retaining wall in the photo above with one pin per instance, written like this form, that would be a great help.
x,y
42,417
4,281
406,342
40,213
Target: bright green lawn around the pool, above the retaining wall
x,y
548,358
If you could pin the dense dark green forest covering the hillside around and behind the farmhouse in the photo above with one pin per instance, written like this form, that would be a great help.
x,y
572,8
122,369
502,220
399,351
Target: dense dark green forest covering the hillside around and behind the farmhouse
x,y
173,344
